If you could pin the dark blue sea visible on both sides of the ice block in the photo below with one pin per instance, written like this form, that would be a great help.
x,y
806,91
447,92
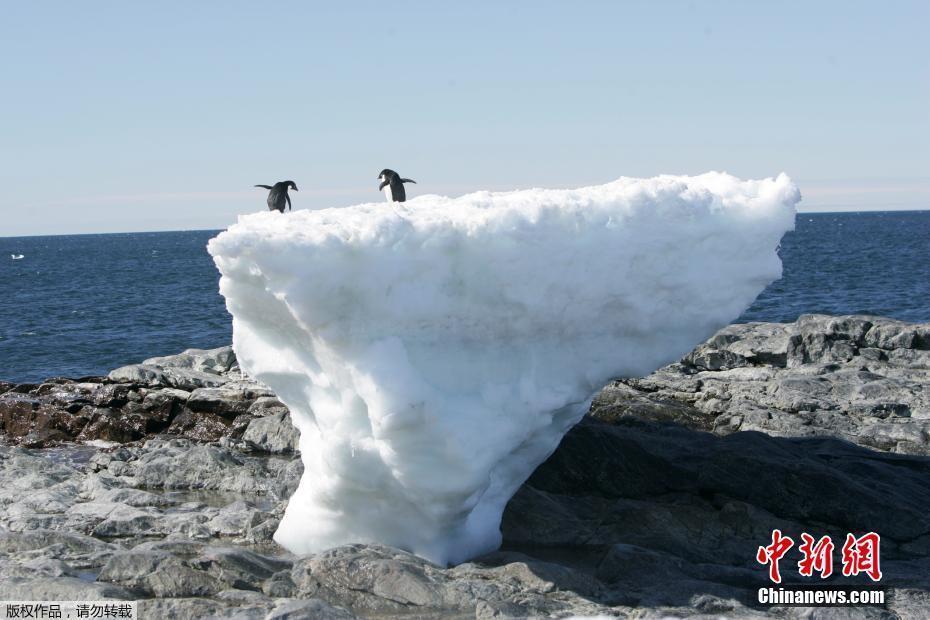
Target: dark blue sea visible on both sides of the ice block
x,y
81,305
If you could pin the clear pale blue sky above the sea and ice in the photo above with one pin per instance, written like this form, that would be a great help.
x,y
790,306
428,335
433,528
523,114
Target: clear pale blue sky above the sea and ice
x,y
126,116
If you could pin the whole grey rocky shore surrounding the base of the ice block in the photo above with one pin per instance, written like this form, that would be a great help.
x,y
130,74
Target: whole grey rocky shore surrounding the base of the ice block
x,y
164,482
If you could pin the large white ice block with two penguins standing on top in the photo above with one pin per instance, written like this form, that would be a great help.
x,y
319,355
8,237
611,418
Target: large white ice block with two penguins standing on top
x,y
433,353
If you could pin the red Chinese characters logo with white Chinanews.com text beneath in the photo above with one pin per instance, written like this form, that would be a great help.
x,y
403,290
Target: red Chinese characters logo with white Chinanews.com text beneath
x,y
859,555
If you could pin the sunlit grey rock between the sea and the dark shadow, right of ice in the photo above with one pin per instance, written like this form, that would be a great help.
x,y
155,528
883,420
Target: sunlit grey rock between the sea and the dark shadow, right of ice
x,y
863,379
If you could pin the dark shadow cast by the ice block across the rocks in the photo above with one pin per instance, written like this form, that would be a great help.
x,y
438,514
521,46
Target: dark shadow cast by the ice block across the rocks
x,y
657,514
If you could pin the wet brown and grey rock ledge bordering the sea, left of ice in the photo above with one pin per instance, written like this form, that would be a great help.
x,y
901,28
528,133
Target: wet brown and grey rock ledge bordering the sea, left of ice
x,y
198,394
